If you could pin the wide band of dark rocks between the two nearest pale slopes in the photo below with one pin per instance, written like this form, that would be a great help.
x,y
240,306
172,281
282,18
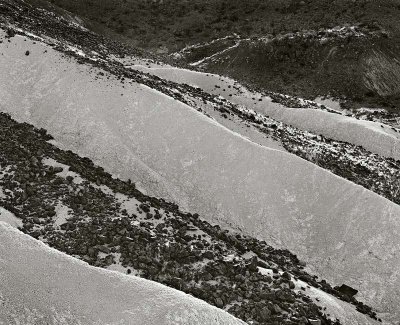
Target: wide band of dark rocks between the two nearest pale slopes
x,y
78,208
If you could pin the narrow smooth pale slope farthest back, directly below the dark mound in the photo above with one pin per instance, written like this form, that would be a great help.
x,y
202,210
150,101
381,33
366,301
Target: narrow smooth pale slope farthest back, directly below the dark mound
x,y
373,136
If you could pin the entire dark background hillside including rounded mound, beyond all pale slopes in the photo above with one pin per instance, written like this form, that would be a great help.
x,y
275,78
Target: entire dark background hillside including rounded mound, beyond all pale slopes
x,y
361,71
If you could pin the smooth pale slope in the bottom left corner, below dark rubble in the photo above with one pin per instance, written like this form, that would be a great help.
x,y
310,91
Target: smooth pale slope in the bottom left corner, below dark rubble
x,y
40,285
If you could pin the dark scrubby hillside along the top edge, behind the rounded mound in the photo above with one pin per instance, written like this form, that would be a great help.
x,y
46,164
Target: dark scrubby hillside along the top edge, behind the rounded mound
x,y
176,23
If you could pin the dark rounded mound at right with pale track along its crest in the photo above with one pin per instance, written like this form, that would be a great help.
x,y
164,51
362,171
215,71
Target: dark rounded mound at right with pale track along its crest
x,y
345,62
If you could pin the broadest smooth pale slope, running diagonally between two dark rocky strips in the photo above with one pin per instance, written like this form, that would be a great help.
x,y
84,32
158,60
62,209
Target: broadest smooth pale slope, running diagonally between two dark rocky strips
x,y
346,233
